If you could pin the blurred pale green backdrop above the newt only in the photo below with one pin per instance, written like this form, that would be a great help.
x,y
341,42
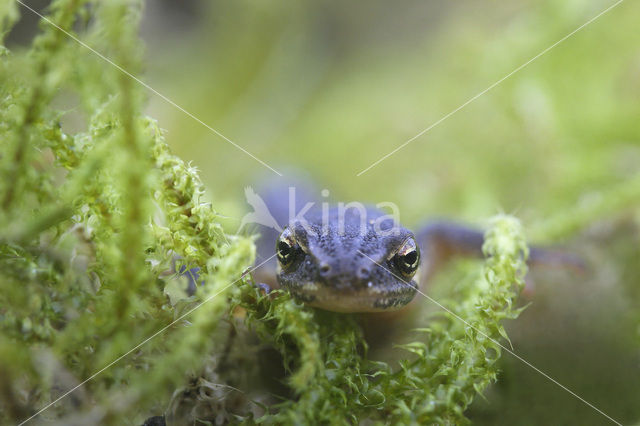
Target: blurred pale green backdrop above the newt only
x,y
331,88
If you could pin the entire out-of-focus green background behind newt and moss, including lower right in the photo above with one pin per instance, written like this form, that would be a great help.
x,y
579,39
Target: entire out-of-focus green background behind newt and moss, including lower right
x,y
331,87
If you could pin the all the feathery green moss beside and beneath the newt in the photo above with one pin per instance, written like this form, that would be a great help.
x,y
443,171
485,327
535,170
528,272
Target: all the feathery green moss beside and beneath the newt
x,y
93,221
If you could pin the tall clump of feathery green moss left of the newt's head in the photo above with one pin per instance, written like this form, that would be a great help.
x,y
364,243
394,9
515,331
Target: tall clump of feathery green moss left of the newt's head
x,y
91,222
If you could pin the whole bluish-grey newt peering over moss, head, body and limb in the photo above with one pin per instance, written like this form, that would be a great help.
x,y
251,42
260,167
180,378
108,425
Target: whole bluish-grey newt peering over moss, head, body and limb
x,y
359,259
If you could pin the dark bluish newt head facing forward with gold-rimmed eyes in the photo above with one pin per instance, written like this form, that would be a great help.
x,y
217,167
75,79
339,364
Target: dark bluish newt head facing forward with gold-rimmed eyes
x,y
348,261
